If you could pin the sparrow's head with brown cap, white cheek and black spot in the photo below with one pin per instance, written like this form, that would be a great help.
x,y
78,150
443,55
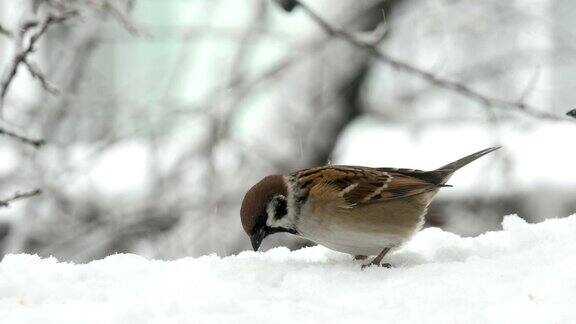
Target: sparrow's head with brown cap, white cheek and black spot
x,y
264,209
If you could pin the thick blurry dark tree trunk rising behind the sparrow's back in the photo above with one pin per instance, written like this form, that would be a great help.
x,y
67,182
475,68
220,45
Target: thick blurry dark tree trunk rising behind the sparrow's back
x,y
345,83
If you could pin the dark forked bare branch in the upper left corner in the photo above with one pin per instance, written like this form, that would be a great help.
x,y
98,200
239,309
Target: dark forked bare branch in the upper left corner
x,y
21,57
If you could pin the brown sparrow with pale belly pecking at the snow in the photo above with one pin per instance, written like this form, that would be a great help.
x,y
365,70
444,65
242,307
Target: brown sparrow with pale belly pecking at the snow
x,y
358,210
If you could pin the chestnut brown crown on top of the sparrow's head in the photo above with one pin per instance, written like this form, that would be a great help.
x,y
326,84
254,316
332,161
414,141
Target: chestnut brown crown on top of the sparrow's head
x,y
257,198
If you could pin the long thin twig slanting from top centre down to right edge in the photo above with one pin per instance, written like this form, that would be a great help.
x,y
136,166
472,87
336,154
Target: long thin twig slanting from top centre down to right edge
x,y
454,86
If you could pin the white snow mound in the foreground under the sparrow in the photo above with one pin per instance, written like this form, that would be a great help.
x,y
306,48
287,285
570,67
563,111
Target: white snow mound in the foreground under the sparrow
x,y
522,274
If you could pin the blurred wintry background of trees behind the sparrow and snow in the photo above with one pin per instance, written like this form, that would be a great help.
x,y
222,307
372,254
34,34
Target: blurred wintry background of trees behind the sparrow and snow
x,y
157,116
